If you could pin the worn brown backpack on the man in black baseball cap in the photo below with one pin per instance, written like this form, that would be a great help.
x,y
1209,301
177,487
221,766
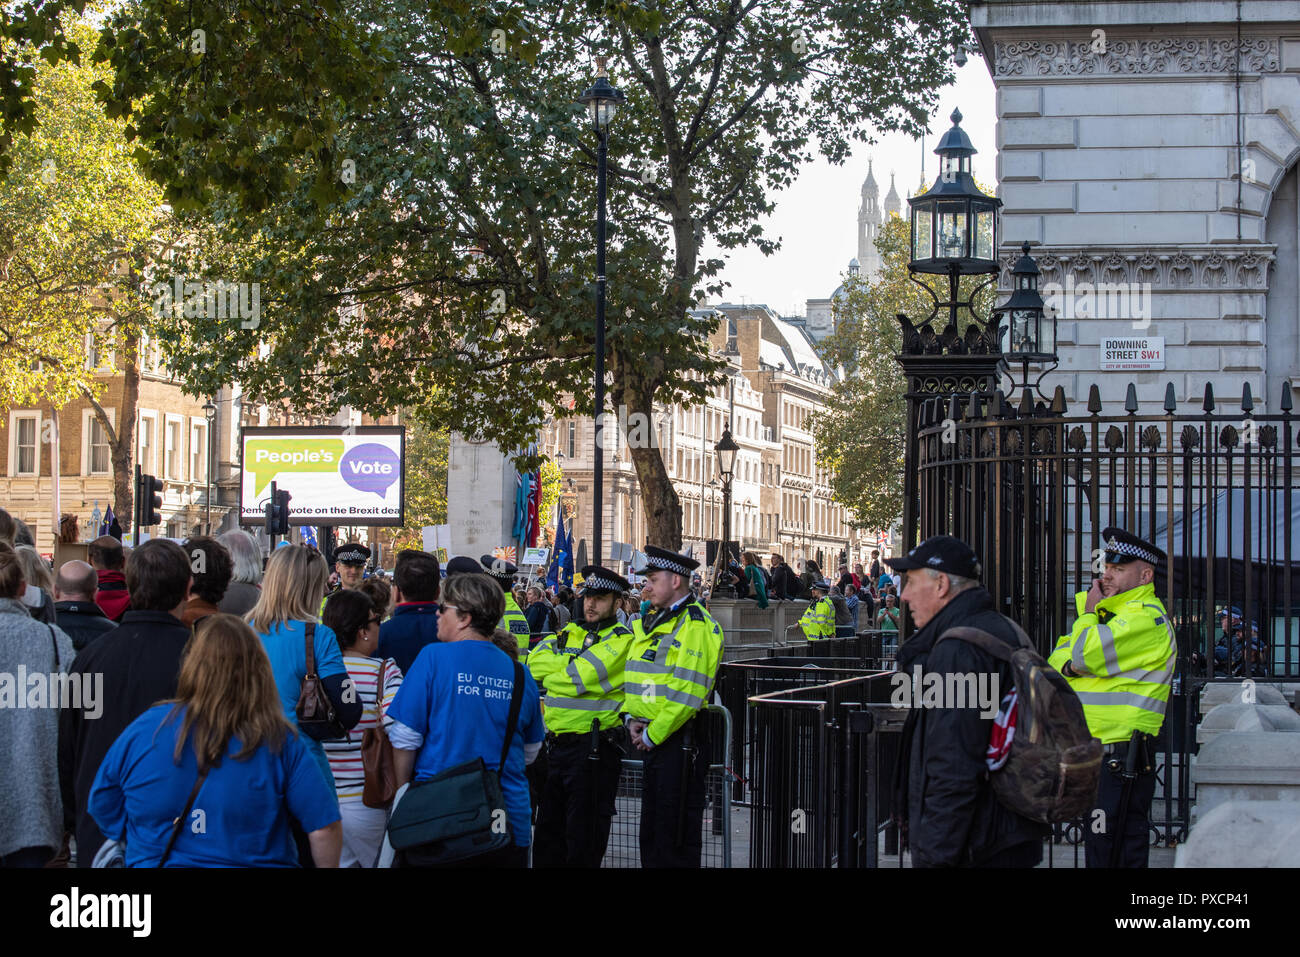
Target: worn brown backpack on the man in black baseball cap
x,y
1052,764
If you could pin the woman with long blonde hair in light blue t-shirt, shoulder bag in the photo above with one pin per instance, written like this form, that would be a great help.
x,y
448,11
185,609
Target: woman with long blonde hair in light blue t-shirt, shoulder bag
x,y
292,592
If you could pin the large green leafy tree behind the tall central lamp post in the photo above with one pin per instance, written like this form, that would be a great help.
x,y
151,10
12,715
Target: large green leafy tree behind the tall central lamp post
x,y
349,158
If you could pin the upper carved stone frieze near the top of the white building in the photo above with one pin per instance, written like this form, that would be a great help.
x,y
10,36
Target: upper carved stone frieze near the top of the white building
x,y
1137,57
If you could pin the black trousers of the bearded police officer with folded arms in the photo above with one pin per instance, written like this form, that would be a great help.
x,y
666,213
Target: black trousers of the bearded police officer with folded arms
x,y
577,803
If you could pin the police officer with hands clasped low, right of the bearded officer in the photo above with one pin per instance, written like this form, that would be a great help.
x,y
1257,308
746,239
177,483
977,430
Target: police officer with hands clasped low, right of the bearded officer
x,y
671,670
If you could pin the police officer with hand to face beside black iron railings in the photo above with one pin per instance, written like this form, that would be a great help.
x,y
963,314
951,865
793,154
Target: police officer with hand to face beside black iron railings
x,y
1120,660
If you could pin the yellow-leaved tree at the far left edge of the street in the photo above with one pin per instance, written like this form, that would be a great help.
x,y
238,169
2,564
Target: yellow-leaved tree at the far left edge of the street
x,y
80,226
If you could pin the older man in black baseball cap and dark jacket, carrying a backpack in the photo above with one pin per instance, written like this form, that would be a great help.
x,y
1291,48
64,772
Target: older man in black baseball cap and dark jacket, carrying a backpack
x,y
943,795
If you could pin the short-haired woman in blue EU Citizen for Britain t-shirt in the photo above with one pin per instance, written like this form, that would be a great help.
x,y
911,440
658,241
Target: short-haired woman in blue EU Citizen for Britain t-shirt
x,y
454,704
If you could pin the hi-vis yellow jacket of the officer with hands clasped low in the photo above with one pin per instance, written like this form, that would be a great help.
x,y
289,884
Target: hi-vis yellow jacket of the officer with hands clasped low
x,y
671,669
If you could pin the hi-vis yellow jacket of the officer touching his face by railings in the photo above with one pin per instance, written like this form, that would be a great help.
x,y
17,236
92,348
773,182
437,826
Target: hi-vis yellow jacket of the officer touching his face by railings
x,y
1126,653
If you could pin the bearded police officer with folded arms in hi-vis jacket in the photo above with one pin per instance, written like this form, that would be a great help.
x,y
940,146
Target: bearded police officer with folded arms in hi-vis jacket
x,y
580,672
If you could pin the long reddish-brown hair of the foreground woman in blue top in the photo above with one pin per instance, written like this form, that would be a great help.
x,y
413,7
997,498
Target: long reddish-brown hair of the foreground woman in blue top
x,y
227,690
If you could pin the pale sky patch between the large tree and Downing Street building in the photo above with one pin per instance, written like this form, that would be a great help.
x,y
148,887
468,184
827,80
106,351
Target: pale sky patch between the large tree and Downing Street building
x,y
817,219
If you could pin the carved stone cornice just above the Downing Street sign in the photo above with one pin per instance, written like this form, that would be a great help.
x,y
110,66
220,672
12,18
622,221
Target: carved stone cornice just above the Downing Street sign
x,y
1175,269
